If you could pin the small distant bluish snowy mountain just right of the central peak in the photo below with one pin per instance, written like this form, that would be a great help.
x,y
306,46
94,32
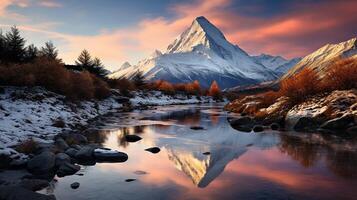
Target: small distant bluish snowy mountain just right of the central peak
x,y
278,64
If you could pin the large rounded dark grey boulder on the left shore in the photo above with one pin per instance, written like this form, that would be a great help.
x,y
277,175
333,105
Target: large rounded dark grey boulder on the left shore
x,y
43,163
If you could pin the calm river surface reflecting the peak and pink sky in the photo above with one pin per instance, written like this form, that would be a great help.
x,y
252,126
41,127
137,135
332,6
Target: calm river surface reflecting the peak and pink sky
x,y
269,165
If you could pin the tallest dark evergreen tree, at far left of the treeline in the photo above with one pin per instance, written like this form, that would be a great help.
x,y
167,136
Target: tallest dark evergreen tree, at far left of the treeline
x,y
15,46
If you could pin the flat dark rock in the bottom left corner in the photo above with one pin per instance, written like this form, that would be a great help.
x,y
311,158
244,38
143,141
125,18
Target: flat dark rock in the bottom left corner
x,y
20,193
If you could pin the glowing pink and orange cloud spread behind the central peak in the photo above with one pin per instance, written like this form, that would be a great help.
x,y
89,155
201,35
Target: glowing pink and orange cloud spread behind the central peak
x,y
291,34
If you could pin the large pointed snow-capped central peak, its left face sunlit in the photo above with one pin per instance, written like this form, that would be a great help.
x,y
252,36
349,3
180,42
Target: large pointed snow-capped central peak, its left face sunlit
x,y
201,53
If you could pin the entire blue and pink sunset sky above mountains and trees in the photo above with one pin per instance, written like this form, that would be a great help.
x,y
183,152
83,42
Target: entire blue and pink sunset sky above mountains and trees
x,y
130,30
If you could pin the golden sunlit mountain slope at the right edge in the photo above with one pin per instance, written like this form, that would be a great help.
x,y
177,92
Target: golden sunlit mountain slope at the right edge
x,y
323,57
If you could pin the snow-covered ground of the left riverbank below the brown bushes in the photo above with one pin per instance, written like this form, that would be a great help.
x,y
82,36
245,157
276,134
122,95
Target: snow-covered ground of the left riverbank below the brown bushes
x,y
33,113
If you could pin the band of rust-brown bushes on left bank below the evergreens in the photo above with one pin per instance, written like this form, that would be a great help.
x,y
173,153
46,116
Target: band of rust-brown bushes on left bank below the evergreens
x,y
54,77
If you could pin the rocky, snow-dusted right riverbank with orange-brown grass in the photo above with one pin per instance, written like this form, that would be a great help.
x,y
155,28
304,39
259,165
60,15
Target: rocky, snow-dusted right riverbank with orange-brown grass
x,y
334,113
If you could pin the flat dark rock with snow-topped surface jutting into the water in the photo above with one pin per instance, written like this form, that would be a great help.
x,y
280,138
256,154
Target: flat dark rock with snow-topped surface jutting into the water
x,y
110,155
